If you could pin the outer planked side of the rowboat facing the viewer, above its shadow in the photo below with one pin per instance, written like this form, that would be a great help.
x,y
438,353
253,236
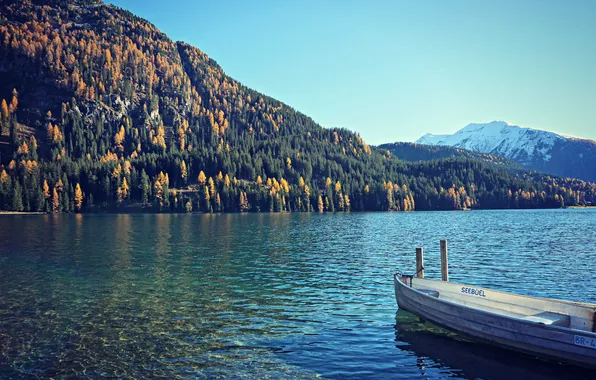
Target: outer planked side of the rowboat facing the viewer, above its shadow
x,y
552,342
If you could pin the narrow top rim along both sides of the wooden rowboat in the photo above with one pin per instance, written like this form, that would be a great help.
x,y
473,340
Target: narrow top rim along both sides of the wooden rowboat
x,y
506,317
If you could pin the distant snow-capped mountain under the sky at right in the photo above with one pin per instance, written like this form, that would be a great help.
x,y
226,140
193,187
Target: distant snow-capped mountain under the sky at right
x,y
534,149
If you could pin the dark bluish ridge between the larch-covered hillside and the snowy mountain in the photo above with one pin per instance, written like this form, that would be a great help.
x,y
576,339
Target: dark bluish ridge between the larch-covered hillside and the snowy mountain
x,y
420,152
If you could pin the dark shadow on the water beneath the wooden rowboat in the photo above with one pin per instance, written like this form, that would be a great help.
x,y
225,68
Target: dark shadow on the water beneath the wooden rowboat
x,y
435,347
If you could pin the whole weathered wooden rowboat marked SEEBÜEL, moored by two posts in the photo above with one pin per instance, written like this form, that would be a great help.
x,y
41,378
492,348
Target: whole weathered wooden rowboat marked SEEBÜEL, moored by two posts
x,y
564,331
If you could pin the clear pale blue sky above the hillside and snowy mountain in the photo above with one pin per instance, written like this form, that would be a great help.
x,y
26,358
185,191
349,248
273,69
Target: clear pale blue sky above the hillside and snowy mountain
x,y
395,70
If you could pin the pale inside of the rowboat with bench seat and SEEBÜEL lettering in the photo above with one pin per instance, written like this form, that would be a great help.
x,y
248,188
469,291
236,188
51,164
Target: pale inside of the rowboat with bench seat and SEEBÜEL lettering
x,y
574,315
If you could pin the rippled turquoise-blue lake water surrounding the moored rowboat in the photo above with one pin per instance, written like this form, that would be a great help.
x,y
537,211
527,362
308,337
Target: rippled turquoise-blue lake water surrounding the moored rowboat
x,y
270,295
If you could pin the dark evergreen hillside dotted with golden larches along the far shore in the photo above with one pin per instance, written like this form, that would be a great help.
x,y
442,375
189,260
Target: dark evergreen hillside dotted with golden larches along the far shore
x,y
101,111
